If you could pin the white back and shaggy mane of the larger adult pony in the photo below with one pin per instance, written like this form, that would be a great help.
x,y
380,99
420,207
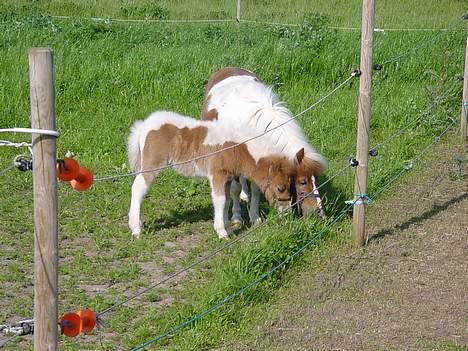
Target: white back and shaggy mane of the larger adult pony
x,y
232,98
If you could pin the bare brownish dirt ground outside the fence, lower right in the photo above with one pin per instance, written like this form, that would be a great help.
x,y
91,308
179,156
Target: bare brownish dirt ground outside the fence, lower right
x,y
406,290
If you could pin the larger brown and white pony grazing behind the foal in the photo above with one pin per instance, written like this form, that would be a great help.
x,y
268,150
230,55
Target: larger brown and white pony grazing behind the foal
x,y
237,95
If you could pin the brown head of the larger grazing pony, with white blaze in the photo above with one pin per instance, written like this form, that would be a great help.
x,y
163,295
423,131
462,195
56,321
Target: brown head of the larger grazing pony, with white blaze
x,y
304,189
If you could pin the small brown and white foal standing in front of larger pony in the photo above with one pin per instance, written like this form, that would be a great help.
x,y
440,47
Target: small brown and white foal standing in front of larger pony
x,y
166,138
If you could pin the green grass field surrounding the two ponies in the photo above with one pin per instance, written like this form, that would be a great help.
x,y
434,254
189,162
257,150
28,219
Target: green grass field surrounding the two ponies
x,y
109,74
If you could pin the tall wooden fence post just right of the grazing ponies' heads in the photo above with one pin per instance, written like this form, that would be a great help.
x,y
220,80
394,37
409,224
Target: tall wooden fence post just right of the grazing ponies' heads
x,y
364,111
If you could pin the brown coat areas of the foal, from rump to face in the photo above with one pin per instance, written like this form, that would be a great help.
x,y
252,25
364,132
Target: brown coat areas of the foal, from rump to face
x,y
170,143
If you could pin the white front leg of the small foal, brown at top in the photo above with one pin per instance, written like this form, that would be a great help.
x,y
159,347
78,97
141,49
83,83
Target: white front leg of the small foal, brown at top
x,y
220,189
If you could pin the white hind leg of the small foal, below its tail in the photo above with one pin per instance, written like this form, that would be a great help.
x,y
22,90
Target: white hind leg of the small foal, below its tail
x,y
140,187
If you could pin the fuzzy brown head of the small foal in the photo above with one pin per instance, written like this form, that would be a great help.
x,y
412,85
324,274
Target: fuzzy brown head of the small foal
x,y
277,188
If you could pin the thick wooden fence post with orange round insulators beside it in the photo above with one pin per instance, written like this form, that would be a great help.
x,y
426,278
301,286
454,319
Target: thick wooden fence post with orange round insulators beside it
x,y
42,95
